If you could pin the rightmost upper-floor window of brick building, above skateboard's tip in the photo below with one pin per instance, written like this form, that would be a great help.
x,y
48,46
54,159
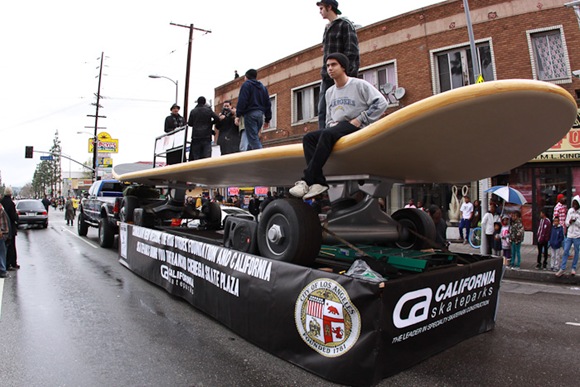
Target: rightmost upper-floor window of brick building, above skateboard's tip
x,y
549,55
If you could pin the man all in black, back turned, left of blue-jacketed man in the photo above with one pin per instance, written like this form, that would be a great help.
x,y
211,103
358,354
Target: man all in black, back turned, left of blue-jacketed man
x,y
201,119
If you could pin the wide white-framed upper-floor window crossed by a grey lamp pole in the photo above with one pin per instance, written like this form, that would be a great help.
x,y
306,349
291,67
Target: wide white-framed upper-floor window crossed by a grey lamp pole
x,y
453,66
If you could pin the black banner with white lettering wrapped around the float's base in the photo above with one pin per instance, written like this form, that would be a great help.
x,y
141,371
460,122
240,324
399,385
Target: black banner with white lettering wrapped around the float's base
x,y
345,330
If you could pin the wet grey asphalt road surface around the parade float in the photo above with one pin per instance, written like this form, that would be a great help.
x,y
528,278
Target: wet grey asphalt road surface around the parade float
x,y
73,316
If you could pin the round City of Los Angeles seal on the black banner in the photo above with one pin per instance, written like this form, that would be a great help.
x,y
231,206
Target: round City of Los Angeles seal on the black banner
x,y
326,319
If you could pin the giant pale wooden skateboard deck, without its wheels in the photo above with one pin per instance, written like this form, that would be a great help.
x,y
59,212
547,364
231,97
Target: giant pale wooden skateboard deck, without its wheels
x,y
465,134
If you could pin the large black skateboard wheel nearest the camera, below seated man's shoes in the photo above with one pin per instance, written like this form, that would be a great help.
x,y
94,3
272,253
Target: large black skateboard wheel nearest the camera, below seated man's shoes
x,y
289,230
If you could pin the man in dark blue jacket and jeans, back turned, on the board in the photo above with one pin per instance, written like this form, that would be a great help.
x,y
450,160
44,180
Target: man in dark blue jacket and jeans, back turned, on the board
x,y
255,108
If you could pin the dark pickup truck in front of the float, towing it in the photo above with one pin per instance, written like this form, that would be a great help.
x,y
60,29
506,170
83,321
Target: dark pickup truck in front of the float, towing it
x,y
100,208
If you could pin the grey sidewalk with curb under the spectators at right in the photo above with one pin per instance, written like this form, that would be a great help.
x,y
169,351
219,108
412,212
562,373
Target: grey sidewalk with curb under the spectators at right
x,y
528,271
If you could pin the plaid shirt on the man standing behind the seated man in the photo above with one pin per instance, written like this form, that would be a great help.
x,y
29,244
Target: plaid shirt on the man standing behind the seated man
x,y
340,36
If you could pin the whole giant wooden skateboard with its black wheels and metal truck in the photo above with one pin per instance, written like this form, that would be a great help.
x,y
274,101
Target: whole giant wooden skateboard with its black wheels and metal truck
x,y
461,135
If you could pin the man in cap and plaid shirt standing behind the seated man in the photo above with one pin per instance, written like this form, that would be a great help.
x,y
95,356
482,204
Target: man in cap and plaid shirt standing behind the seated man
x,y
339,36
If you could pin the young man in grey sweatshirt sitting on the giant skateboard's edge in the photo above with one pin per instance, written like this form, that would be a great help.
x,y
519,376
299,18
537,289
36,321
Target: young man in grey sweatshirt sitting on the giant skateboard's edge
x,y
351,104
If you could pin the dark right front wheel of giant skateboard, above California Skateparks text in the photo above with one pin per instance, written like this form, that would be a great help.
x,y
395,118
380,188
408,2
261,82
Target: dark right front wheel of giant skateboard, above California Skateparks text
x,y
415,221
